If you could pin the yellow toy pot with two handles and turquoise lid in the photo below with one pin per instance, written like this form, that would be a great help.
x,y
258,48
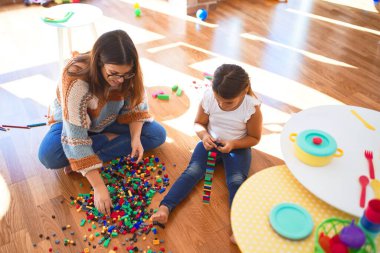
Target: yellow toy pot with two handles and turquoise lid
x,y
315,147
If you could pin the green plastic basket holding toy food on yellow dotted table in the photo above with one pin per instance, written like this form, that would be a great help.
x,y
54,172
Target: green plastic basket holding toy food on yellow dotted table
x,y
333,226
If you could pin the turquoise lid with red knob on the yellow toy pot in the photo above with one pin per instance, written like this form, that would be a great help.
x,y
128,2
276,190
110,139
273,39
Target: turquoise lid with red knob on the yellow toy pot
x,y
316,142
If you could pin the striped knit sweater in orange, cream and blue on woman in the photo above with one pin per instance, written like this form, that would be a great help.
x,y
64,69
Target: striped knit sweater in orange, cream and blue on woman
x,y
82,112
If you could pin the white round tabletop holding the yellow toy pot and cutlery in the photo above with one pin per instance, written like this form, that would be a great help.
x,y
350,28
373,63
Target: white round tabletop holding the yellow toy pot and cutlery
x,y
338,182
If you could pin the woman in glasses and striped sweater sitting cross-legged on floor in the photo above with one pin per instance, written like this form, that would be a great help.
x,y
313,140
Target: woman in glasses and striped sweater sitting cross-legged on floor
x,y
100,113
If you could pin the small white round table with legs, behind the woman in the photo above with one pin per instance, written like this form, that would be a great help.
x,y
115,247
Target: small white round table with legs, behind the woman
x,y
84,14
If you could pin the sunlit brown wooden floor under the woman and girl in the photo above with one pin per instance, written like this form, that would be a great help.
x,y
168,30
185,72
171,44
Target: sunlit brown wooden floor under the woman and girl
x,y
299,54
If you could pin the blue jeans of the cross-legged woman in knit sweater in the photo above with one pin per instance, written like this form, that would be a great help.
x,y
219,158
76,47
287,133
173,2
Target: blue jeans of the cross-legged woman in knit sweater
x,y
52,156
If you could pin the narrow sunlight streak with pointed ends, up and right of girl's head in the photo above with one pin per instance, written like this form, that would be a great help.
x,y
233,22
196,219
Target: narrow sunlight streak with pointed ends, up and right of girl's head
x,y
308,54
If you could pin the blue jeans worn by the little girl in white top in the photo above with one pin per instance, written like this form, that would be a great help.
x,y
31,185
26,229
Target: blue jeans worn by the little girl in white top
x,y
236,167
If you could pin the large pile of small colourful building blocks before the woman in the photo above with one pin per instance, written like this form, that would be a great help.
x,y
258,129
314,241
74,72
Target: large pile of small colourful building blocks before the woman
x,y
131,187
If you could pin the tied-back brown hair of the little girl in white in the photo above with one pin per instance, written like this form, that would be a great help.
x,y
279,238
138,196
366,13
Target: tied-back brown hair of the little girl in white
x,y
230,80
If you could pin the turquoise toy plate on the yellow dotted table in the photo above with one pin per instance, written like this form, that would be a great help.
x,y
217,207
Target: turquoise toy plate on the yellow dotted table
x,y
291,221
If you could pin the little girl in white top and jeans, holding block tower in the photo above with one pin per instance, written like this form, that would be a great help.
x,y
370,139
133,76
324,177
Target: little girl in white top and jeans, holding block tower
x,y
229,122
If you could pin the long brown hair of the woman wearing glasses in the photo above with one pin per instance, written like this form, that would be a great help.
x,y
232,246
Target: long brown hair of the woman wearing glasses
x,y
114,47
